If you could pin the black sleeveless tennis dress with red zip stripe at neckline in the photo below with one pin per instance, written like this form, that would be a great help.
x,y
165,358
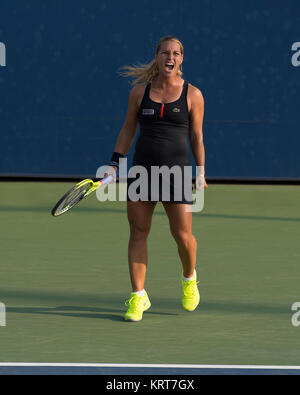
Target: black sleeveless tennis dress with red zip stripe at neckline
x,y
162,149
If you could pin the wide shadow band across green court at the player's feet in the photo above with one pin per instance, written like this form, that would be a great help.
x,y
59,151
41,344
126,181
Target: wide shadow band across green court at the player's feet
x,y
111,306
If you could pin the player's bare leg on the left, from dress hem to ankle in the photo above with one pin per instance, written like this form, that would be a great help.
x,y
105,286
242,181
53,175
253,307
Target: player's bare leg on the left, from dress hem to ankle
x,y
140,218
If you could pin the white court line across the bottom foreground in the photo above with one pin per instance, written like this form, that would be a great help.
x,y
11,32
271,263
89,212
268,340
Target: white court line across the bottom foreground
x,y
129,365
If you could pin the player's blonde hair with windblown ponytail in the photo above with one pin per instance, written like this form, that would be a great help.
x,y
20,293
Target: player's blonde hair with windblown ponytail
x,y
145,73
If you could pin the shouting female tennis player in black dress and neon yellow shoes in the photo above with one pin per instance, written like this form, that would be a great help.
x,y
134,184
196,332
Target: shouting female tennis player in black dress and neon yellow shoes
x,y
170,112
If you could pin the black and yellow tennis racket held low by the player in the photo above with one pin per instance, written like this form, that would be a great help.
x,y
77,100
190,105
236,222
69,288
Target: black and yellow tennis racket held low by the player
x,y
77,193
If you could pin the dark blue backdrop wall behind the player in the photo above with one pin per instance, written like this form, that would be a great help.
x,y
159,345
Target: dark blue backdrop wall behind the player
x,y
62,101
